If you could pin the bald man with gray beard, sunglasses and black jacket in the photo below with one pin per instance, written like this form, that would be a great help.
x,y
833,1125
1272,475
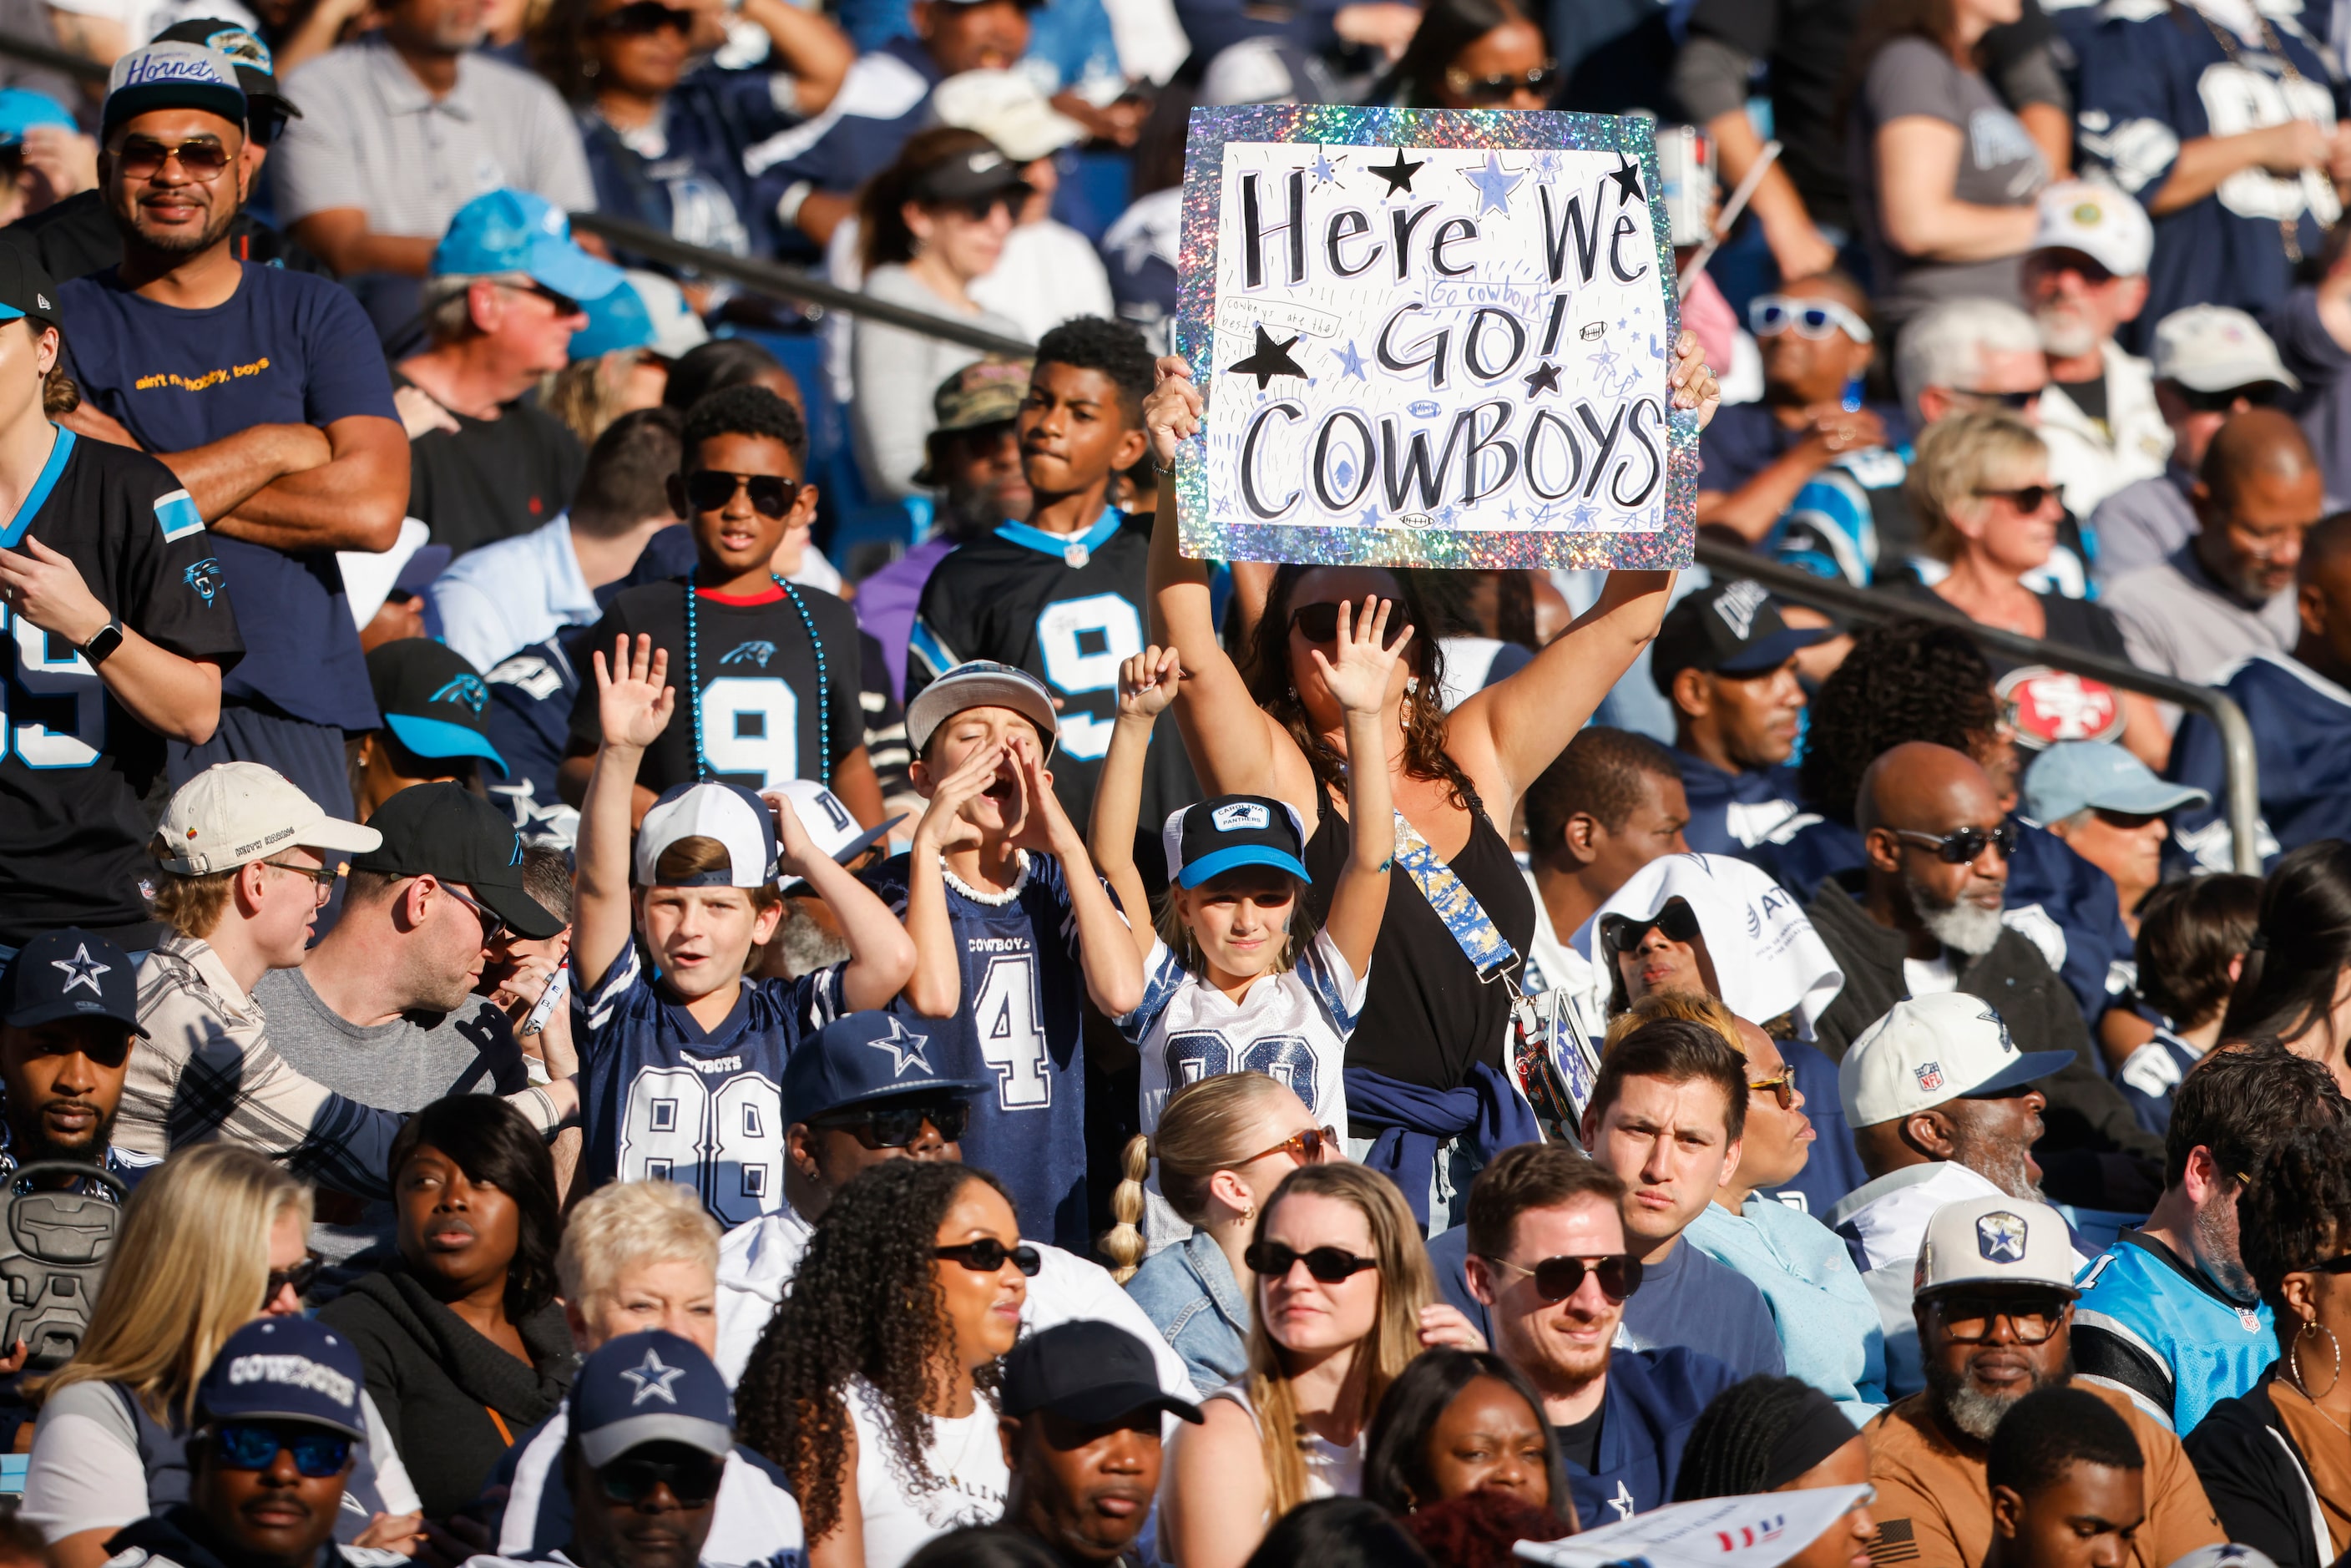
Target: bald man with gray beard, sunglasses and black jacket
x,y
1924,916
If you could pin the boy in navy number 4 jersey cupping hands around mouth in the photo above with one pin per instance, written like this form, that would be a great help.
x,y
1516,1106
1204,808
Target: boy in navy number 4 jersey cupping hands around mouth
x,y
1010,925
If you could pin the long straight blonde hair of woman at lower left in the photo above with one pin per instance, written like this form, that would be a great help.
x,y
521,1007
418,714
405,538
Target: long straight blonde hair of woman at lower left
x,y
187,1271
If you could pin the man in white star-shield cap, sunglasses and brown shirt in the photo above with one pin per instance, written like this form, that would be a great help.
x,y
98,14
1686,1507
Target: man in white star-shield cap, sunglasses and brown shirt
x,y
1995,1313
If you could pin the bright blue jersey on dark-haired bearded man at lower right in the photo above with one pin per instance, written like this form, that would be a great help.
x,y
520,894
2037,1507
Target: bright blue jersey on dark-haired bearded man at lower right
x,y
2157,1329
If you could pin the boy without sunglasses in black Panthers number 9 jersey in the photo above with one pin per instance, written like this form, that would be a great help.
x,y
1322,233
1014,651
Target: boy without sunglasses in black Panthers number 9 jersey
x,y
1061,596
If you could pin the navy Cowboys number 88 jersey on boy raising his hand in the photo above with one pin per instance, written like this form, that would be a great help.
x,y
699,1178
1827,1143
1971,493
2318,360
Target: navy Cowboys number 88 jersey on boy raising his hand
x,y
667,1099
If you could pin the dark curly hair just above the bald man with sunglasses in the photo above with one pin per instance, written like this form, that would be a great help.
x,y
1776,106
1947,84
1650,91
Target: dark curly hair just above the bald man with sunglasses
x,y
1903,681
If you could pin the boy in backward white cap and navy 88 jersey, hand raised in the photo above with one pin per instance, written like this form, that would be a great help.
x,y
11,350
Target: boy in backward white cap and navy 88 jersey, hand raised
x,y
681,1073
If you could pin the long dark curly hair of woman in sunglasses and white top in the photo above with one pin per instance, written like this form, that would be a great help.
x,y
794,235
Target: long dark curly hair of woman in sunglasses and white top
x,y
866,1304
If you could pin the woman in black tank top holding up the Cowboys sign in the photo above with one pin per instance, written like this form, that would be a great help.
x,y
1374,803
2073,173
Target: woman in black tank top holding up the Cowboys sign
x,y
1426,1068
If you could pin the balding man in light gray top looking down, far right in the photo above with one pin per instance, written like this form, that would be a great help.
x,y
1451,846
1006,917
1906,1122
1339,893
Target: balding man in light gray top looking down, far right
x,y
2228,594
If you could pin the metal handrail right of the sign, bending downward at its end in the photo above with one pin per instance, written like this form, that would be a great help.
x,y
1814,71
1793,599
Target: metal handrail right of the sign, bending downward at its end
x,y
1873,605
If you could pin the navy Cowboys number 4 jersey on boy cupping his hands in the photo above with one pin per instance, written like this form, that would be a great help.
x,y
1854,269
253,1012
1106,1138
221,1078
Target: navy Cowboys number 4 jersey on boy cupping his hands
x,y
1017,1031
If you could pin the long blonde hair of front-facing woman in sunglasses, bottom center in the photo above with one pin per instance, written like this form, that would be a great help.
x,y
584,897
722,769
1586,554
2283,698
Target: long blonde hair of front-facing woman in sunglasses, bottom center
x,y
1407,1285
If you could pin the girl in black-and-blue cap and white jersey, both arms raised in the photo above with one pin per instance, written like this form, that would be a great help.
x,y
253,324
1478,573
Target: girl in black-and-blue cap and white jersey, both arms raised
x,y
1235,981
